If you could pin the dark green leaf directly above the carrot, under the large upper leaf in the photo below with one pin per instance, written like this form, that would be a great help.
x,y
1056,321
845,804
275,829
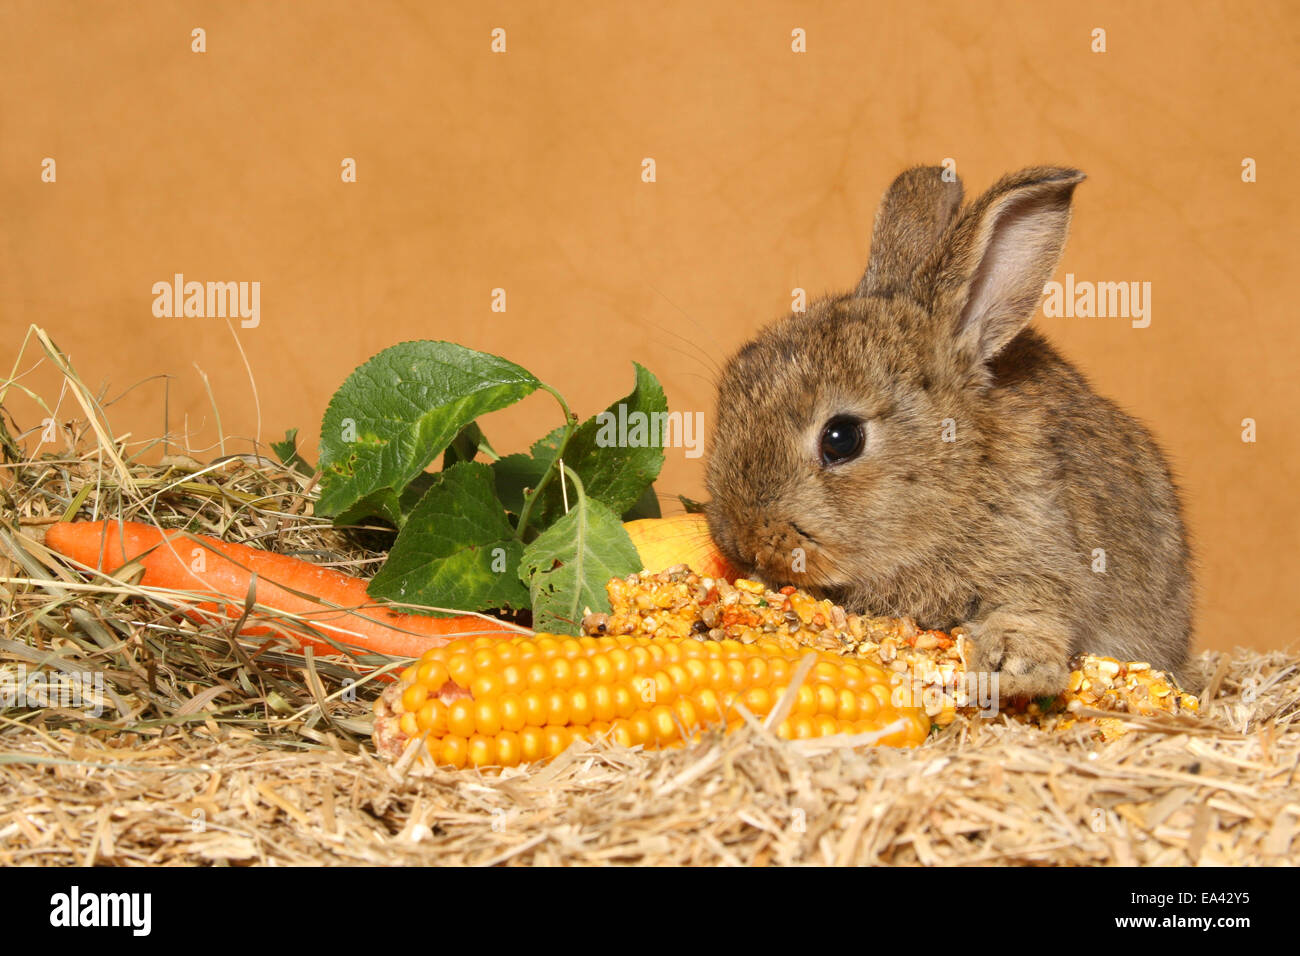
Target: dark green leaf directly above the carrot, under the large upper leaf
x,y
457,550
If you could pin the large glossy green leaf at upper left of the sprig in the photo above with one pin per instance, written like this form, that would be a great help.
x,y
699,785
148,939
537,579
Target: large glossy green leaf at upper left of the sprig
x,y
395,414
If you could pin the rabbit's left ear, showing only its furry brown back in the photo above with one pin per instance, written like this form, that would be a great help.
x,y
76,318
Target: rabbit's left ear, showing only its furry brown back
x,y
913,214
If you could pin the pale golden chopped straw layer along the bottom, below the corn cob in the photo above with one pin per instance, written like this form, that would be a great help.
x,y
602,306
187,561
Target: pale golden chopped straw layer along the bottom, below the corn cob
x,y
1223,791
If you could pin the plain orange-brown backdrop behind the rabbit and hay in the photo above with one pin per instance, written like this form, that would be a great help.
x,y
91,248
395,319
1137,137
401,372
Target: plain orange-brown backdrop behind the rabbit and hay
x,y
523,171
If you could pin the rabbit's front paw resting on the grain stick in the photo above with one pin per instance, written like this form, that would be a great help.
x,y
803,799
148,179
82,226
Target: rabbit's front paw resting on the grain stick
x,y
1029,652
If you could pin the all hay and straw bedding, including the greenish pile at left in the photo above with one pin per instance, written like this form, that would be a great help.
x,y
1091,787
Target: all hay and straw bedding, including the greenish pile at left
x,y
213,751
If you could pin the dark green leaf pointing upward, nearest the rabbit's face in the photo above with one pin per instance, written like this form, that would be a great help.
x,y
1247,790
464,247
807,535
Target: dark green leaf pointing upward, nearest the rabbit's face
x,y
618,458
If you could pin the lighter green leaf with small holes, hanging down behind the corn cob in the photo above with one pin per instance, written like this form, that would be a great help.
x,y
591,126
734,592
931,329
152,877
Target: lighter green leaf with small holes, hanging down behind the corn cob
x,y
569,565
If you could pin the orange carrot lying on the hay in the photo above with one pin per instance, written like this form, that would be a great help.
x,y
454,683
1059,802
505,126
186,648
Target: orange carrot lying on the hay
x,y
201,564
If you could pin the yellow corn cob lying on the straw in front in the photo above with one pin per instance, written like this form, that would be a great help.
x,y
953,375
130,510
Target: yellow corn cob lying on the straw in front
x,y
506,702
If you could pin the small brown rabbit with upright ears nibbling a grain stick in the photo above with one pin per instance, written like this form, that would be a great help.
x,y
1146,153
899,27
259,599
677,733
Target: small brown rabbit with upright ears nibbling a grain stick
x,y
913,449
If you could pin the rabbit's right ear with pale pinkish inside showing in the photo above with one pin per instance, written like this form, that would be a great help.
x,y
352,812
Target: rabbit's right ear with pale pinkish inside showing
x,y
993,266
